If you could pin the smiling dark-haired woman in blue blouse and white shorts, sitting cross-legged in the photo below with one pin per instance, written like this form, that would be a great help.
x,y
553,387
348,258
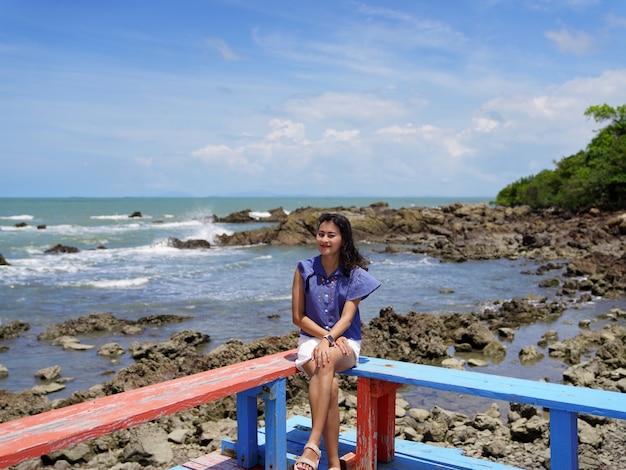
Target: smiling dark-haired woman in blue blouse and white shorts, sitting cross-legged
x,y
326,293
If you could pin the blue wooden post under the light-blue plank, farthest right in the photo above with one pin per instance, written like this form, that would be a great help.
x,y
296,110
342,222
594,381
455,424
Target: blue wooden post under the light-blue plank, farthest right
x,y
563,440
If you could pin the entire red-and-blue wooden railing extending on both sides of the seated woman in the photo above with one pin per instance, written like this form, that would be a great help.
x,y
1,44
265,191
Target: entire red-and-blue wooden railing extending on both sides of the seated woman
x,y
378,379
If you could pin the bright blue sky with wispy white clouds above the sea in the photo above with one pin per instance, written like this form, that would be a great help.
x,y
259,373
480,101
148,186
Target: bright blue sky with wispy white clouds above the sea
x,y
208,98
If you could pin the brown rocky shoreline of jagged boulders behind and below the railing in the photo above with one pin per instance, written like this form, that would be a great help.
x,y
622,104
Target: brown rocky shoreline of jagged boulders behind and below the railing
x,y
586,252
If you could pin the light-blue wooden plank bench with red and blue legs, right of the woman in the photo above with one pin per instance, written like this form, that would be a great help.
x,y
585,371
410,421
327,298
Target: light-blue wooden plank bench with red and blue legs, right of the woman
x,y
376,392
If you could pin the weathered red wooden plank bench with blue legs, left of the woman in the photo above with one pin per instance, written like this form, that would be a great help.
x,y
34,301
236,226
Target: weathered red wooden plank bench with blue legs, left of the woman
x,y
37,435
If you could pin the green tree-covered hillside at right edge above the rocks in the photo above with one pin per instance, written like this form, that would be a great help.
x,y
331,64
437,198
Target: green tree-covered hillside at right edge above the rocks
x,y
594,177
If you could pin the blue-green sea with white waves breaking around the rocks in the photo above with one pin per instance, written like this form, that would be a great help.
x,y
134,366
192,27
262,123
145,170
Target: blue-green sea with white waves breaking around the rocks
x,y
126,267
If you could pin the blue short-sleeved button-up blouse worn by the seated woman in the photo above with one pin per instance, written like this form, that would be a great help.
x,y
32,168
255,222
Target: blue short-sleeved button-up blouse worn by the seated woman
x,y
326,296
